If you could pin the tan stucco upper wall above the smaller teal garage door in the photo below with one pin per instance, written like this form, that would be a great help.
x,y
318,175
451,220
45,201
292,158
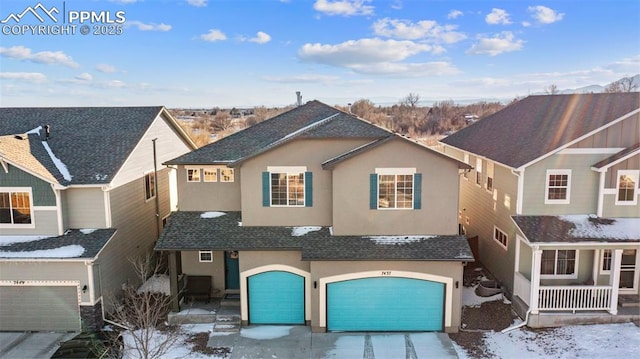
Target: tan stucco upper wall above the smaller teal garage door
x,y
309,153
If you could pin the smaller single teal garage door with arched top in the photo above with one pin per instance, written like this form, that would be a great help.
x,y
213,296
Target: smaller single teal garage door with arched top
x,y
276,297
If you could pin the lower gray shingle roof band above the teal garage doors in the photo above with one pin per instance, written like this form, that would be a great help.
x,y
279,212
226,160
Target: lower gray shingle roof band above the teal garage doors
x,y
192,231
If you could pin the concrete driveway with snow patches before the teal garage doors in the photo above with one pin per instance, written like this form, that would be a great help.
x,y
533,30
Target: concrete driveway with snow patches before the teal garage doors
x,y
298,342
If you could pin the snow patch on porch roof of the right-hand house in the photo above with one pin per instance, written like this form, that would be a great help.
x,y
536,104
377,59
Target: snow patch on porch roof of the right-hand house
x,y
590,226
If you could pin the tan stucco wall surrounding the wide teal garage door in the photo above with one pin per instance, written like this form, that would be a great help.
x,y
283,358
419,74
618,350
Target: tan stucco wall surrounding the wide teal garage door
x,y
451,270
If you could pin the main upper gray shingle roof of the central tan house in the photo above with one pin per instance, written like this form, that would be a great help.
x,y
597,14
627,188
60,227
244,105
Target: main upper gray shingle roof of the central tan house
x,y
331,123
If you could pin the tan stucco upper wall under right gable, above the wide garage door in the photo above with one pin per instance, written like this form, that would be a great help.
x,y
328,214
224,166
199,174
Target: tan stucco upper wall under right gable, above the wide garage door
x,y
351,193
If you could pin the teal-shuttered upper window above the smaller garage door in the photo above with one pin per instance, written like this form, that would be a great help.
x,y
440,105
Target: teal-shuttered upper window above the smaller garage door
x,y
286,186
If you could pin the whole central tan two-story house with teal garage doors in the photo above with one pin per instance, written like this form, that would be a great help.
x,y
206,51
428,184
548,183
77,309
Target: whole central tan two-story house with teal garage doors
x,y
317,217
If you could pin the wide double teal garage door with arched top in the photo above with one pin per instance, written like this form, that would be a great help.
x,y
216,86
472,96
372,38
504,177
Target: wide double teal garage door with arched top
x,y
385,304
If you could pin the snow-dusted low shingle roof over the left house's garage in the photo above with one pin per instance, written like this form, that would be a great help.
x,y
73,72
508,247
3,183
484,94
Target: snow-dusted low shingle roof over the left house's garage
x,y
92,242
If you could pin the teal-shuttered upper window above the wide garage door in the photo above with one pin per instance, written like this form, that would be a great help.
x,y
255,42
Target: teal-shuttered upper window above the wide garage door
x,y
395,188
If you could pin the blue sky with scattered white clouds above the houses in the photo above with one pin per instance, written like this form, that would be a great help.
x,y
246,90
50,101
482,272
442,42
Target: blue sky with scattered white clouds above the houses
x,y
244,53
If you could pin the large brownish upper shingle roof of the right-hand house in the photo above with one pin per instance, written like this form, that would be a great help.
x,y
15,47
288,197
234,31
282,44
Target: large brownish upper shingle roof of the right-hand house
x,y
537,125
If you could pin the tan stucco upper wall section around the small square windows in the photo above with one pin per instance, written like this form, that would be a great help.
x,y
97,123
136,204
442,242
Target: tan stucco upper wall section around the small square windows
x,y
208,196
